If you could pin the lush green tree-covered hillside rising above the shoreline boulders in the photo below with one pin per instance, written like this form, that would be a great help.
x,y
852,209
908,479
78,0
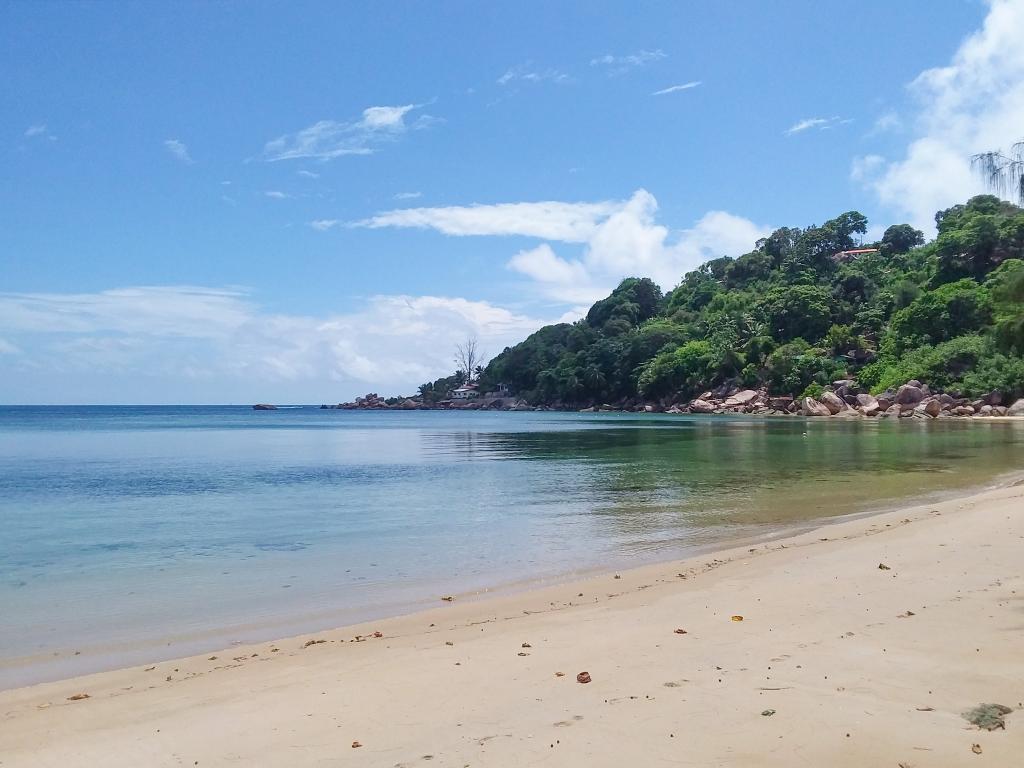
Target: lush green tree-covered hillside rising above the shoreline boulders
x,y
796,314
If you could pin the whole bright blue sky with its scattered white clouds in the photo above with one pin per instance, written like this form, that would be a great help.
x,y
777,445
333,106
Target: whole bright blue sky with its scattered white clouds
x,y
305,202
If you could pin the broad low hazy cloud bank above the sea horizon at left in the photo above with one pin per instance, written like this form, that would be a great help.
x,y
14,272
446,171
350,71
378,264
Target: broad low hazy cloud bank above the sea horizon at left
x,y
193,337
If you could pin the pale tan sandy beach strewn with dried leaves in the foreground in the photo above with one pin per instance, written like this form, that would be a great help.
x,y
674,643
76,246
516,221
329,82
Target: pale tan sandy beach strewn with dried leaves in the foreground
x,y
861,666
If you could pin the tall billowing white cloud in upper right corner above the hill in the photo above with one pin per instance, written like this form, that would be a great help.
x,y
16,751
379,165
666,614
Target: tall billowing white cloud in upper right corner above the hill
x,y
974,105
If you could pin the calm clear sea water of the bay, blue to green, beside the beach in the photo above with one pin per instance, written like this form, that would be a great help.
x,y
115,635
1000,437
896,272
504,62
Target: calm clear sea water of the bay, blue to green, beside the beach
x,y
133,534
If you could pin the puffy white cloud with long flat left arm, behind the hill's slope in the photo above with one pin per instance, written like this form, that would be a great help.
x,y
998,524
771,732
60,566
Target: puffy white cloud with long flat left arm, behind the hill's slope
x,y
620,239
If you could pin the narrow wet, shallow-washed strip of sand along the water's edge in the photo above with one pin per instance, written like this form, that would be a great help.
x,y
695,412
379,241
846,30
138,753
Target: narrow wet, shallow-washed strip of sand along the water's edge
x,y
133,654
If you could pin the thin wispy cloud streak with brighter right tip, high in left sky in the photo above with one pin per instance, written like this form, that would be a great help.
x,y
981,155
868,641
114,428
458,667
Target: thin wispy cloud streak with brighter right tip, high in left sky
x,y
329,140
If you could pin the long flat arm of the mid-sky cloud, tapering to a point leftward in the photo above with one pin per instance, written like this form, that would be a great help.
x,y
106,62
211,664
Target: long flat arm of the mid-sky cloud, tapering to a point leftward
x,y
570,223
